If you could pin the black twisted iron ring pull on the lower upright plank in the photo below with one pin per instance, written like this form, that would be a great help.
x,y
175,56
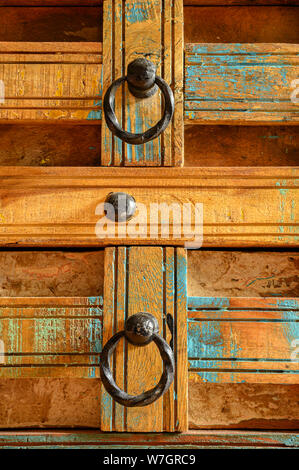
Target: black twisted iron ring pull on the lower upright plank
x,y
140,330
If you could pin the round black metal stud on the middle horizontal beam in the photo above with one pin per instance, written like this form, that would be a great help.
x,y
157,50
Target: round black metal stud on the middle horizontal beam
x,y
120,207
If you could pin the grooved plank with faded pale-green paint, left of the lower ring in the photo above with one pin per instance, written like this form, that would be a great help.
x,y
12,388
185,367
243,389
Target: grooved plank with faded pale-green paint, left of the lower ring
x,y
46,337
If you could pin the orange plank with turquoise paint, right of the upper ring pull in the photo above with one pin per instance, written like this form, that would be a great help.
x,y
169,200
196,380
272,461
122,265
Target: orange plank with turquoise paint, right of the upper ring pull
x,y
240,83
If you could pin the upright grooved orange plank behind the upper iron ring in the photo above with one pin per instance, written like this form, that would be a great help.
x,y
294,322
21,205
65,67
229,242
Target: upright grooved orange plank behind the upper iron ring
x,y
143,31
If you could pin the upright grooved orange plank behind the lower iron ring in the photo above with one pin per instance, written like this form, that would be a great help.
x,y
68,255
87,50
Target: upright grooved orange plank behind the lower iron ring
x,y
150,279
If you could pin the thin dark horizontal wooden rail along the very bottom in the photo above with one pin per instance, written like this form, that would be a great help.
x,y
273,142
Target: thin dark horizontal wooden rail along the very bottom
x,y
192,439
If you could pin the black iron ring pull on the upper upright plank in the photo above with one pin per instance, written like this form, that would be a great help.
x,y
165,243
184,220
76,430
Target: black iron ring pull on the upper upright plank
x,y
142,82
